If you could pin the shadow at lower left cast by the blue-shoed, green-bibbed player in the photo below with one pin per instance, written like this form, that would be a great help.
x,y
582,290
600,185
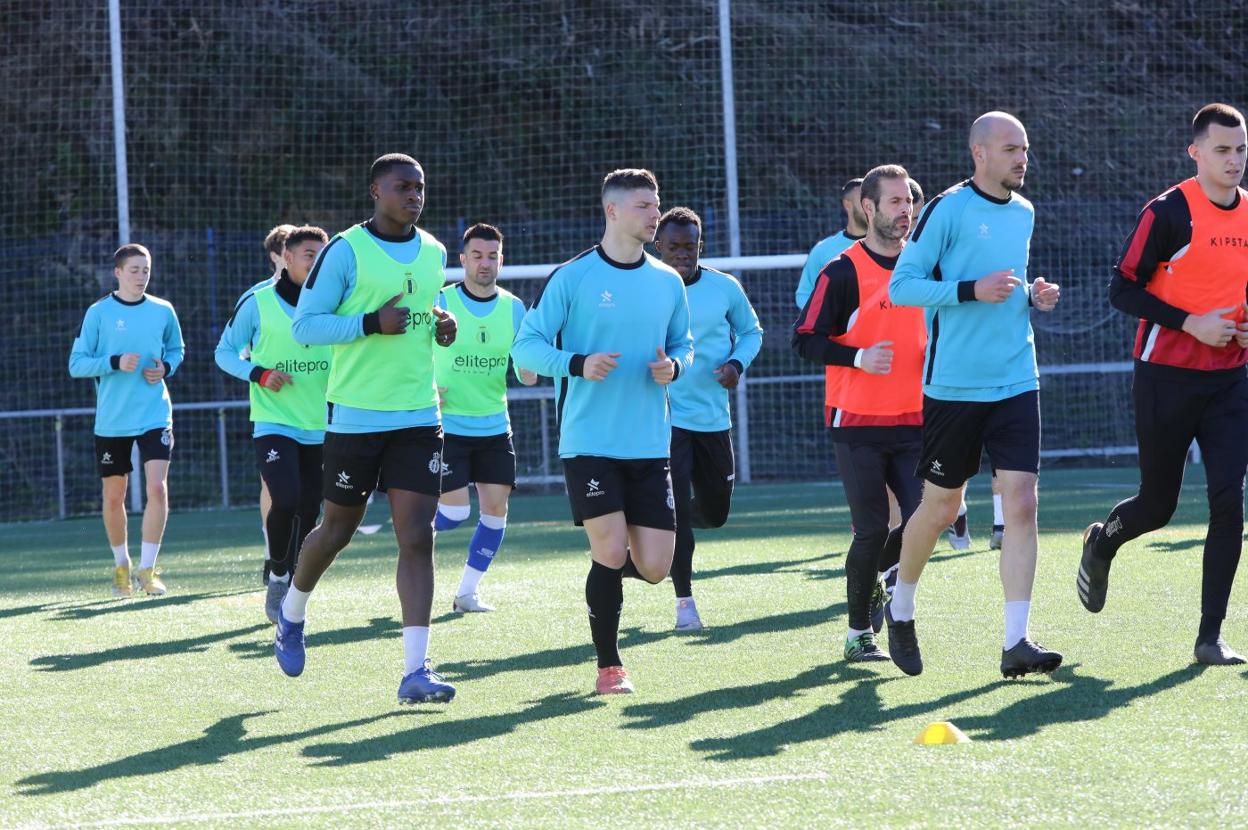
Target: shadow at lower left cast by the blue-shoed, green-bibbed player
x,y
223,740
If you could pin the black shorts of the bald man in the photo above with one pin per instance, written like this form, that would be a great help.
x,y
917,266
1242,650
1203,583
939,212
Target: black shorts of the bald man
x,y
958,432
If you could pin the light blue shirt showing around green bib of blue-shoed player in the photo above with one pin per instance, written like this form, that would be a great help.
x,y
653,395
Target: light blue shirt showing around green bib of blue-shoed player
x,y
318,324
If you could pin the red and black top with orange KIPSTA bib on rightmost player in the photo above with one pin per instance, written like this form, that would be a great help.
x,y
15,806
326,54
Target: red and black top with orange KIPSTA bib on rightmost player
x,y
1186,256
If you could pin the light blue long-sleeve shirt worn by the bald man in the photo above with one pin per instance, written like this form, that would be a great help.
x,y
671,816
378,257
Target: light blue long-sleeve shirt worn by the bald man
x,y
977,351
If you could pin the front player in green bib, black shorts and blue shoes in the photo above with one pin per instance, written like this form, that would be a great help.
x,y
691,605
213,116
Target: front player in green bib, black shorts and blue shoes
x,y
384,406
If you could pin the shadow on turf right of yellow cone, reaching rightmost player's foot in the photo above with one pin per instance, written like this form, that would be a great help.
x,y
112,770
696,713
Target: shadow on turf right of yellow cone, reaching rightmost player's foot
x,y
1078,700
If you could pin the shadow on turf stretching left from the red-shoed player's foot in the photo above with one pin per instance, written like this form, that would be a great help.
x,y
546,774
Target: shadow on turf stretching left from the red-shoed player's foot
x,y
446,735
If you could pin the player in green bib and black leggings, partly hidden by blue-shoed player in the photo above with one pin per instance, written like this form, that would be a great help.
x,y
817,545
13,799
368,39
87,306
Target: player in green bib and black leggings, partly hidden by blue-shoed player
x,y
288,384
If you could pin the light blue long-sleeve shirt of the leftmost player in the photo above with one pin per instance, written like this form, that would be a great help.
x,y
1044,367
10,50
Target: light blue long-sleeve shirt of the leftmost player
x,y
127,404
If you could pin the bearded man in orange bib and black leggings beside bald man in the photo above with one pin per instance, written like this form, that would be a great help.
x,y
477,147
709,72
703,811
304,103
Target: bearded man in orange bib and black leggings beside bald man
x,y
875,354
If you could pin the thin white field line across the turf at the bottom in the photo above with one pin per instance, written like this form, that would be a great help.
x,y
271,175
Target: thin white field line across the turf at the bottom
x,y
536,796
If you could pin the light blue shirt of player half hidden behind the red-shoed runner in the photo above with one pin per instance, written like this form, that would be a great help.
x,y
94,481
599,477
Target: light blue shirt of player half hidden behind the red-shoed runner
x,y
726,329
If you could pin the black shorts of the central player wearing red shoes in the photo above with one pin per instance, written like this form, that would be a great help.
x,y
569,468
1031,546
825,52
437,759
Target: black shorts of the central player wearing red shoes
x,y
640,487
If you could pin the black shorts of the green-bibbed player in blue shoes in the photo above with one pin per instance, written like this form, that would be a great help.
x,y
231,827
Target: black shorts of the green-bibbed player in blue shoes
x,y
404,460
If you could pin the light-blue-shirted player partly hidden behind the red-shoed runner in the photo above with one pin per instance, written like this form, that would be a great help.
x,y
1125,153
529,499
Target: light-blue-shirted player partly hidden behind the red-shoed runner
x,y
727,336
